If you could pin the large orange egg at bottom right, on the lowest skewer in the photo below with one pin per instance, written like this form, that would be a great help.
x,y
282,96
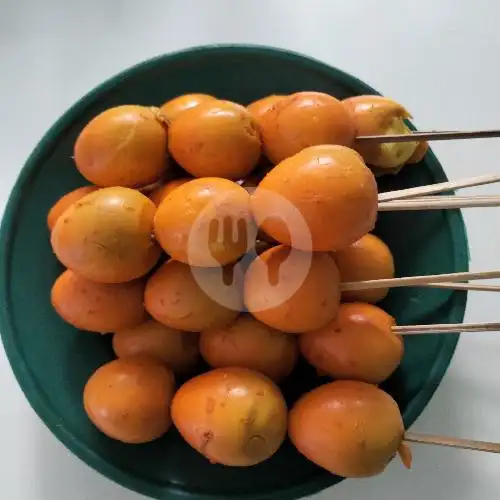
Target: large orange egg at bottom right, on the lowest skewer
x,y
351,429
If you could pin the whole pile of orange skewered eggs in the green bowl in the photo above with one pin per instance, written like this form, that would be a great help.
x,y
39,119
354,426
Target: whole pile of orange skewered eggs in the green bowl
x,y
220,230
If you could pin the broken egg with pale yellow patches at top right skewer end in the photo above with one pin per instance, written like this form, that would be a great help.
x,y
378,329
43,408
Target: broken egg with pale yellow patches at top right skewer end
x,y
376,115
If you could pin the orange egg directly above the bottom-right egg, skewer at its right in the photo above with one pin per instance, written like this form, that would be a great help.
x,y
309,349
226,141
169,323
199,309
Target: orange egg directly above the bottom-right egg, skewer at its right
x,y
358,344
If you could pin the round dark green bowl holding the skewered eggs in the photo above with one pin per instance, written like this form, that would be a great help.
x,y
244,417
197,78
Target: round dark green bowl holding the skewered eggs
x,y
52,361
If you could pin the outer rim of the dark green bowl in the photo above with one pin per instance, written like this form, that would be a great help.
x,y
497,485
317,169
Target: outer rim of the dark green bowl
x,y
34,393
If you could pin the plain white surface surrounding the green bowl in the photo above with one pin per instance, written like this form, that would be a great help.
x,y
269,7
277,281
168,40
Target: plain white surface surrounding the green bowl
x,y
441,58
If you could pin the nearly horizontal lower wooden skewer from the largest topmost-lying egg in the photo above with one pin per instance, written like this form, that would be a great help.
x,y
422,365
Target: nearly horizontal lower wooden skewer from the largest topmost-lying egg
x,y
448,203
